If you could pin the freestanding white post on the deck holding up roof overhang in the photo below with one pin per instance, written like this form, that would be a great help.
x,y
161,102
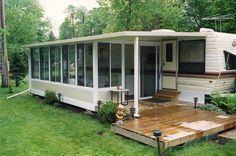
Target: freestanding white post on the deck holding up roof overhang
x,y
136,76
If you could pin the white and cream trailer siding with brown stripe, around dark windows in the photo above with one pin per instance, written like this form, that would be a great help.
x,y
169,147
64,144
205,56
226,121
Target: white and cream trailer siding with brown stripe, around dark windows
x,y
192,86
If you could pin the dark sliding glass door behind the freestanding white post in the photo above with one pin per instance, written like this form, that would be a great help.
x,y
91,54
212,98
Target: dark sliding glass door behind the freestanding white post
x,y
147,70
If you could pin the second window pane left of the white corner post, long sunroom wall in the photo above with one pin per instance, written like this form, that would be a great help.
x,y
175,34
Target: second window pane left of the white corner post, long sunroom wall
x,y
80,64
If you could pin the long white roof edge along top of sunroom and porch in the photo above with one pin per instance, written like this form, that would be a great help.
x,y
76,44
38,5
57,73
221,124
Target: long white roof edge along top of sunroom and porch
x,y
119,34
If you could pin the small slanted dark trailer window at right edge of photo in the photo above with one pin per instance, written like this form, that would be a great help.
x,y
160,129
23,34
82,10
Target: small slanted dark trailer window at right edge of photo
x,y
230,61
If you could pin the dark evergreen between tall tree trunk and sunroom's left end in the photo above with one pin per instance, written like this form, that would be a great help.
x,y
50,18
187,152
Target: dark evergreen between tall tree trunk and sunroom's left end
x,y
18,66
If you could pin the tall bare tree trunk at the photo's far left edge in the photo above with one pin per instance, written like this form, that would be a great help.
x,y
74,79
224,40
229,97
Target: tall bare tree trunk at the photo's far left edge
x,y
5,74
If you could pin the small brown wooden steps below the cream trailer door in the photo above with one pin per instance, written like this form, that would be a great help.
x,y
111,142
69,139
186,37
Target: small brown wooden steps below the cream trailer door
x,y
166,94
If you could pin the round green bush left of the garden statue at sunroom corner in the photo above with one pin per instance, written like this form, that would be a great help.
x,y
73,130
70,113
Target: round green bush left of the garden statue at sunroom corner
x,y
107,112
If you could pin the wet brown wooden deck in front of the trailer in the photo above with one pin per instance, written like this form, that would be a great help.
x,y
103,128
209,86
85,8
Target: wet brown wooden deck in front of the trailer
x,y
179,124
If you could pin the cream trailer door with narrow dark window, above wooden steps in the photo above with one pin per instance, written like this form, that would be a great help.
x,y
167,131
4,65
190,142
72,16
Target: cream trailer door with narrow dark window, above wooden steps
x,y
169,65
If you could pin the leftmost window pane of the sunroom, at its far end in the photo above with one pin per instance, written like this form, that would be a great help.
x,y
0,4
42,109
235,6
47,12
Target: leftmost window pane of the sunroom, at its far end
x,y
35,63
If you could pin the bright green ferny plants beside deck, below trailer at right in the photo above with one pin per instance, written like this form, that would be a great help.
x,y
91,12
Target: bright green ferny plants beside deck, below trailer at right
x,y
226,102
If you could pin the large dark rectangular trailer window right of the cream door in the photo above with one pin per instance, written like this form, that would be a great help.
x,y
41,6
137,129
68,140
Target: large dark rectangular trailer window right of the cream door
x,y
192,57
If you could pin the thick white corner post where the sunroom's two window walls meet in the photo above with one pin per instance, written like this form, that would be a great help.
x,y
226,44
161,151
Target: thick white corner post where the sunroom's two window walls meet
x,y
95,73
